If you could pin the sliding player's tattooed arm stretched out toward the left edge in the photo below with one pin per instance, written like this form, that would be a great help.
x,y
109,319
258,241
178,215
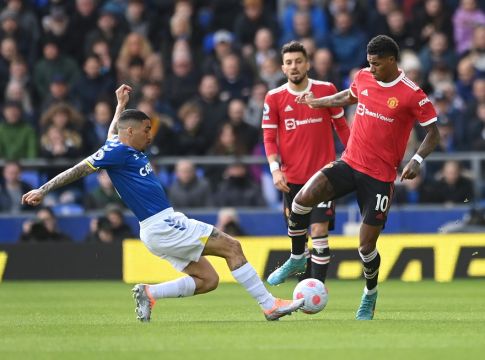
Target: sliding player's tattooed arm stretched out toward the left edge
x,y
35,197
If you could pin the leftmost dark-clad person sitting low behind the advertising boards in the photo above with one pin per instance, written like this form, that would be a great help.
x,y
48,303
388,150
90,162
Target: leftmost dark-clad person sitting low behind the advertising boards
x,y
42,228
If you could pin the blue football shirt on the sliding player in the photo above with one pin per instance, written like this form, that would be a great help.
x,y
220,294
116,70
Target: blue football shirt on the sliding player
x,y
132,176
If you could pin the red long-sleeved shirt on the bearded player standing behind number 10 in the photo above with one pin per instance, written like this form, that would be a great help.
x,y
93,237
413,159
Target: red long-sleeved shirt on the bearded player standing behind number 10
x,y
301,136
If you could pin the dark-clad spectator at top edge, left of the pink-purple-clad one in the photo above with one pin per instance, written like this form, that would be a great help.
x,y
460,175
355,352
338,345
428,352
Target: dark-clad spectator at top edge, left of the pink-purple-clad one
x,y
430,17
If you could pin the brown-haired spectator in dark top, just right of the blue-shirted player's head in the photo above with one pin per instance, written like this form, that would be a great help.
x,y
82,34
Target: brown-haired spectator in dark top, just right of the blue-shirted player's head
x,y
191,140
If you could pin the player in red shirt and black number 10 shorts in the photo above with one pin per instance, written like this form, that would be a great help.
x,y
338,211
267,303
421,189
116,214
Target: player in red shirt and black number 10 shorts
x,y
388,105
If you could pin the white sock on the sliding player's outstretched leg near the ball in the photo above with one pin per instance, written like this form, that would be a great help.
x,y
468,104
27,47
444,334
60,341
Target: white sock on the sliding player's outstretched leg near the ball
x,y
247,277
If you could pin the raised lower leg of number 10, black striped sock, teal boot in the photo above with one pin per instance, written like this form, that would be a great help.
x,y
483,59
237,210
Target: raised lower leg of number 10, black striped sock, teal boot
x,y
298,222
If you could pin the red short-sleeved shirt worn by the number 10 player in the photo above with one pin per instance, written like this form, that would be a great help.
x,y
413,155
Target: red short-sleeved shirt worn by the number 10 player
x,y
385,115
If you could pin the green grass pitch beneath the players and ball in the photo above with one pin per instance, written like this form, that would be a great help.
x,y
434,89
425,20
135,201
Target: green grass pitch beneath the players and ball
x,y
96,320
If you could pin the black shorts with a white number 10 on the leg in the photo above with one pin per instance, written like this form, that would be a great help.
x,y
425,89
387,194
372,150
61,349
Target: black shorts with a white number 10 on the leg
x,y
373,196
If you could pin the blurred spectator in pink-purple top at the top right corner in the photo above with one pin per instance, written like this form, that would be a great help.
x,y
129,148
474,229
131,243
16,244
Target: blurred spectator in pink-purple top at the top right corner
x,y
465,19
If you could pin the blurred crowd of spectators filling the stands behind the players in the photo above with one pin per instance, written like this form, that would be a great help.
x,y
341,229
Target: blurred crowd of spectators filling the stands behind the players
x,y
200,69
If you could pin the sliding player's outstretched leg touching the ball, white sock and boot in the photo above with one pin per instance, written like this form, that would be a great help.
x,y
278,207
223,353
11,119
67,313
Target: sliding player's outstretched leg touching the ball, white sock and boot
x,y
223,245
